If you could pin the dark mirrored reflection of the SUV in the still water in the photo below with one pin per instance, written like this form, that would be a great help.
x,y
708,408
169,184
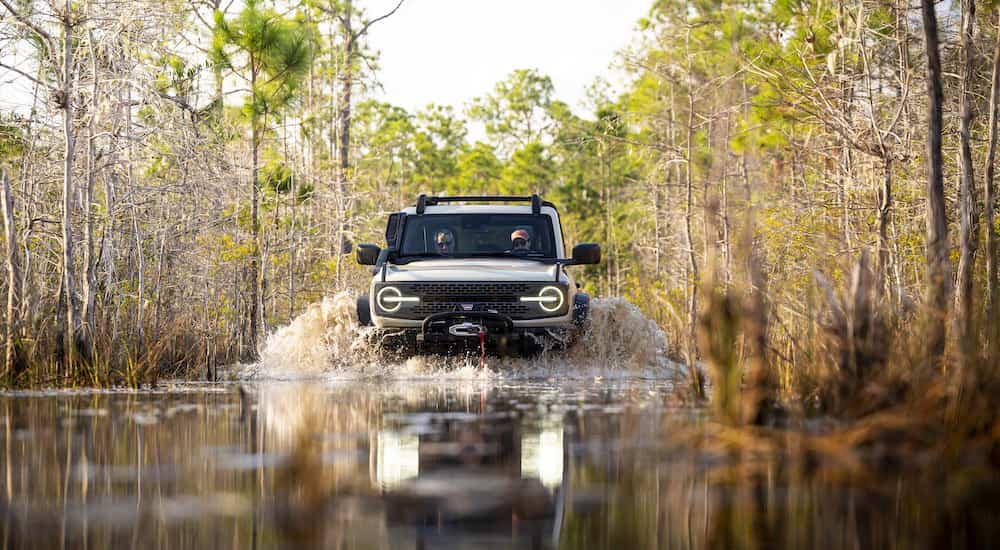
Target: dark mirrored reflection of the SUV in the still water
x,y
468,485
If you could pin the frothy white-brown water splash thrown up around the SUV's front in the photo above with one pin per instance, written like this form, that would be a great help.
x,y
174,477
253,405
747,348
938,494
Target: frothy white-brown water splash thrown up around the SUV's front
x,y
325,340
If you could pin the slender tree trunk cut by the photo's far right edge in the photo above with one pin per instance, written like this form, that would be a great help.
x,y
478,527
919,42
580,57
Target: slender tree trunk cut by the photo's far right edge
x,y
988,200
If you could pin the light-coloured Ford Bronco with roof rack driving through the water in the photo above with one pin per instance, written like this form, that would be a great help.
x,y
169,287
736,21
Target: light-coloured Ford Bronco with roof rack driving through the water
x,y
475,272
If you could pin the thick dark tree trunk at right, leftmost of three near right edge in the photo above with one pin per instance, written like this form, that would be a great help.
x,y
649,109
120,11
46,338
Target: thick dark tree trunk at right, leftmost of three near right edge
x,y
938,276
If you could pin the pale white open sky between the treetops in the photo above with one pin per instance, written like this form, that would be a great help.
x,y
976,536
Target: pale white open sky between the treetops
x,y
450,51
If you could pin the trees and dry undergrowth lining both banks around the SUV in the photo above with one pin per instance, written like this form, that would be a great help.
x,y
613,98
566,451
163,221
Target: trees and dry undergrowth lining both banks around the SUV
x,y
801,195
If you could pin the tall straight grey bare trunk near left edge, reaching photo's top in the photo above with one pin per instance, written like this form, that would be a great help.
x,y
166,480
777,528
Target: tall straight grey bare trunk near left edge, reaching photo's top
x,y
72,319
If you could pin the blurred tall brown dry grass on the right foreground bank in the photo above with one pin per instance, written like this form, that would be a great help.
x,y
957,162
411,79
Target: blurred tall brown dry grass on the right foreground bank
x,y
860,383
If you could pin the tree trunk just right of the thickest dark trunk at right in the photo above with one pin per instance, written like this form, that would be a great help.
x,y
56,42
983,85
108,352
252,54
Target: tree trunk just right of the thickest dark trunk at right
x,y
967,199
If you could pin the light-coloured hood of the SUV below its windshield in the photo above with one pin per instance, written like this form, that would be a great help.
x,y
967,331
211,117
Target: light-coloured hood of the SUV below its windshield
x,y
490,269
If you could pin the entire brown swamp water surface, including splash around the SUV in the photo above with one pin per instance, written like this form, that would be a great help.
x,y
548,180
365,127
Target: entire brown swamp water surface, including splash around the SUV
x,y
322,444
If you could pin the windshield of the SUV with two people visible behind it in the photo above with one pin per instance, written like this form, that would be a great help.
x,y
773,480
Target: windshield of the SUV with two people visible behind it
x,y
466,235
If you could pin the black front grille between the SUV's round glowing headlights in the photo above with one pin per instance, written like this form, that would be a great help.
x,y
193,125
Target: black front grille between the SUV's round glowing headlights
x,y
446,297
